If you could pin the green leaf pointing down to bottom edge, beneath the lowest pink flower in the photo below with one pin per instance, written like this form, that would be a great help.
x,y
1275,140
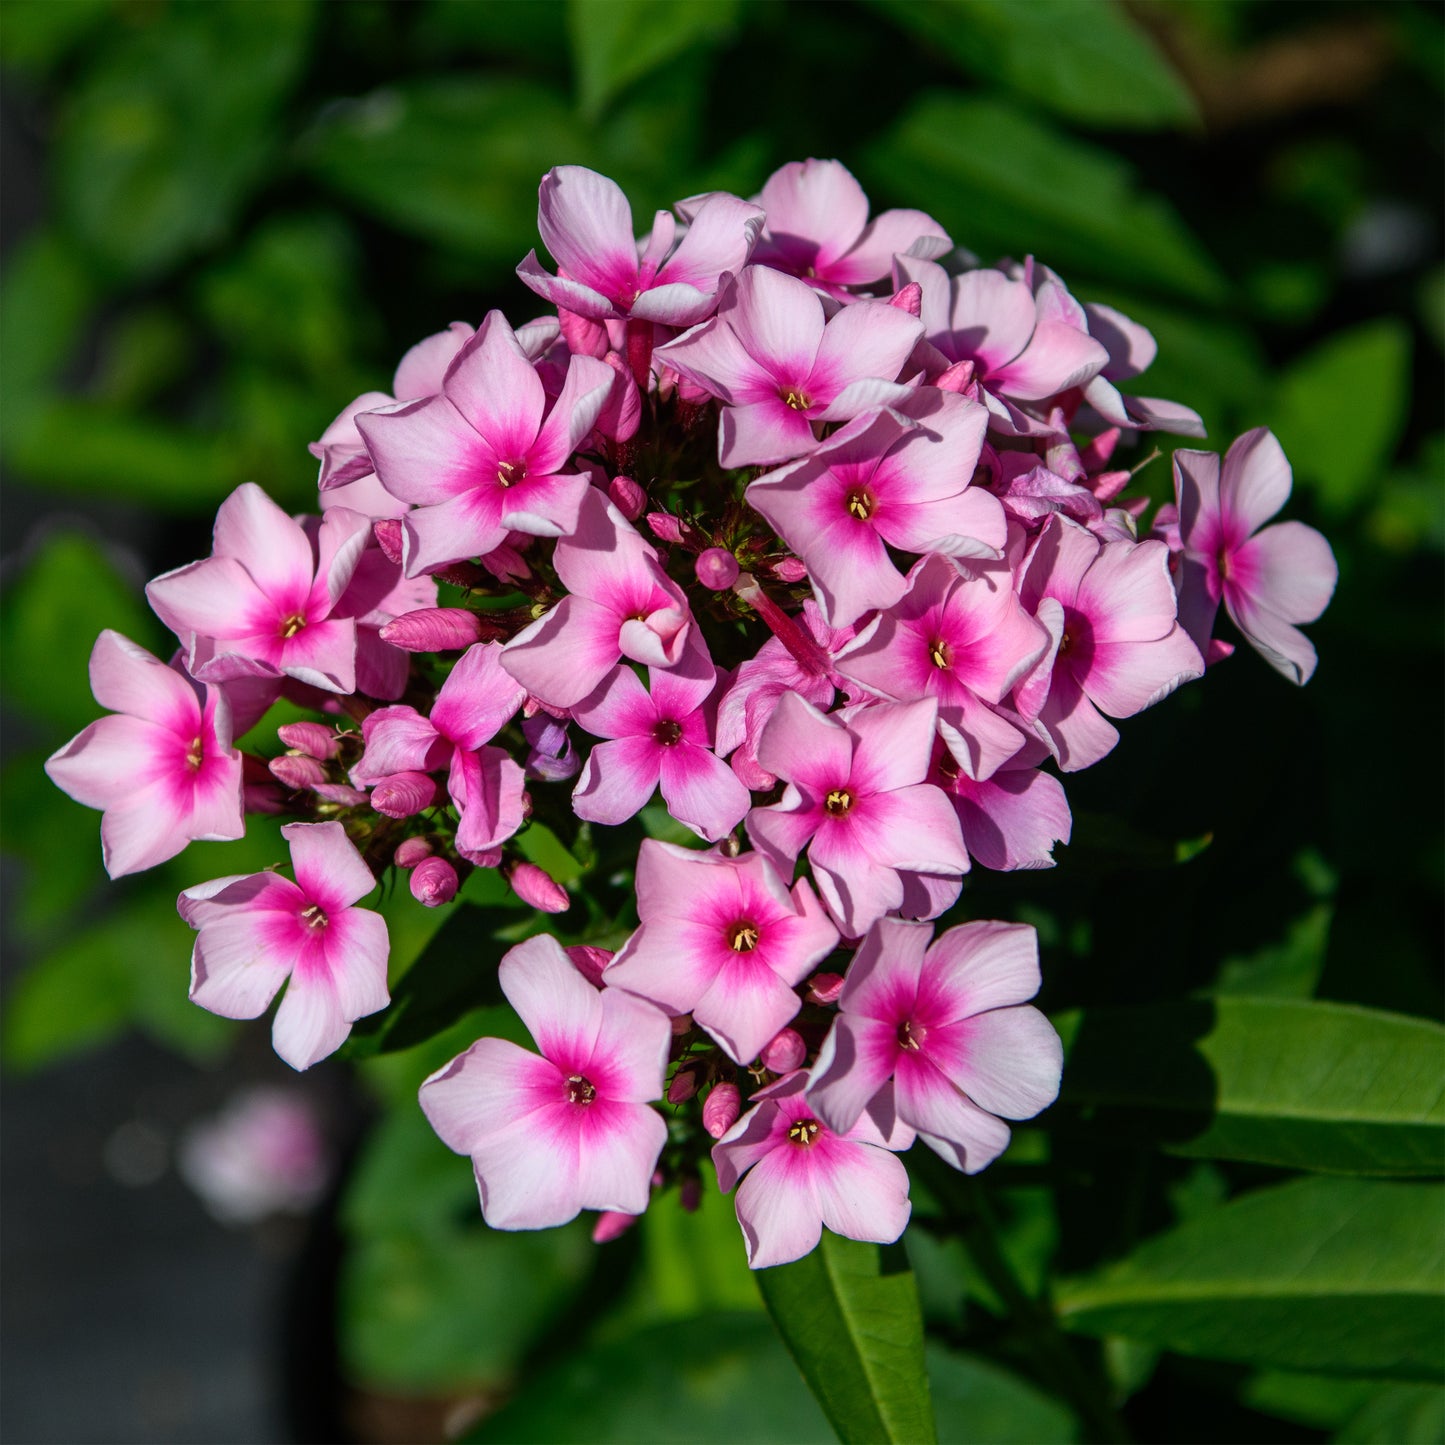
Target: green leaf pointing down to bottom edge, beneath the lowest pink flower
x,y
852,1320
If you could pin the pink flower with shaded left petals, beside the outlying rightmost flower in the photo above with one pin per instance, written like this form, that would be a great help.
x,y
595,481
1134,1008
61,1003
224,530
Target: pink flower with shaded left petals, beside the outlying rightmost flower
x,y
1115,647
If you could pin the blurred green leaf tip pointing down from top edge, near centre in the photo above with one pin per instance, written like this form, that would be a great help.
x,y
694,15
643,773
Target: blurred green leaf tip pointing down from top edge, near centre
x,y
616,43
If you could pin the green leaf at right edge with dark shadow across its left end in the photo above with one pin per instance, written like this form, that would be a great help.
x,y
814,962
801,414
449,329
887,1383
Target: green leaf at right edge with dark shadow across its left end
x,y
1280,1082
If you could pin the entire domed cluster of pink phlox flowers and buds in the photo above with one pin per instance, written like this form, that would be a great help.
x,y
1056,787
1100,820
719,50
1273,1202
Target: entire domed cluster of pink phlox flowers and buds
x,y
784,514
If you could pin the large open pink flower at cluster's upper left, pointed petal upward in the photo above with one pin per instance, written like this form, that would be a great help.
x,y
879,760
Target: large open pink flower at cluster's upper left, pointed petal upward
x,y
485,456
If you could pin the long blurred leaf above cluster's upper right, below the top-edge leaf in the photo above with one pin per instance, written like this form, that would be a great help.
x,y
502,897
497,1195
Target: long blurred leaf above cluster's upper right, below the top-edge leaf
x,y
1004,183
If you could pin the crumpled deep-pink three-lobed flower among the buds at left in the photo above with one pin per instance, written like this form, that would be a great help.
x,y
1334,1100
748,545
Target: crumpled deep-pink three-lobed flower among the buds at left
x,y
473,704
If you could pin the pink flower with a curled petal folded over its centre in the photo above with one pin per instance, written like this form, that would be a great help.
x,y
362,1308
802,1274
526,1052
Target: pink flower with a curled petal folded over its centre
x,y
622,605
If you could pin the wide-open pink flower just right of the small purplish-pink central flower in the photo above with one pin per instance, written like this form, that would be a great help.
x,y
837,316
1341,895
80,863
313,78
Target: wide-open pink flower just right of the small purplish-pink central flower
x,y
858,801
